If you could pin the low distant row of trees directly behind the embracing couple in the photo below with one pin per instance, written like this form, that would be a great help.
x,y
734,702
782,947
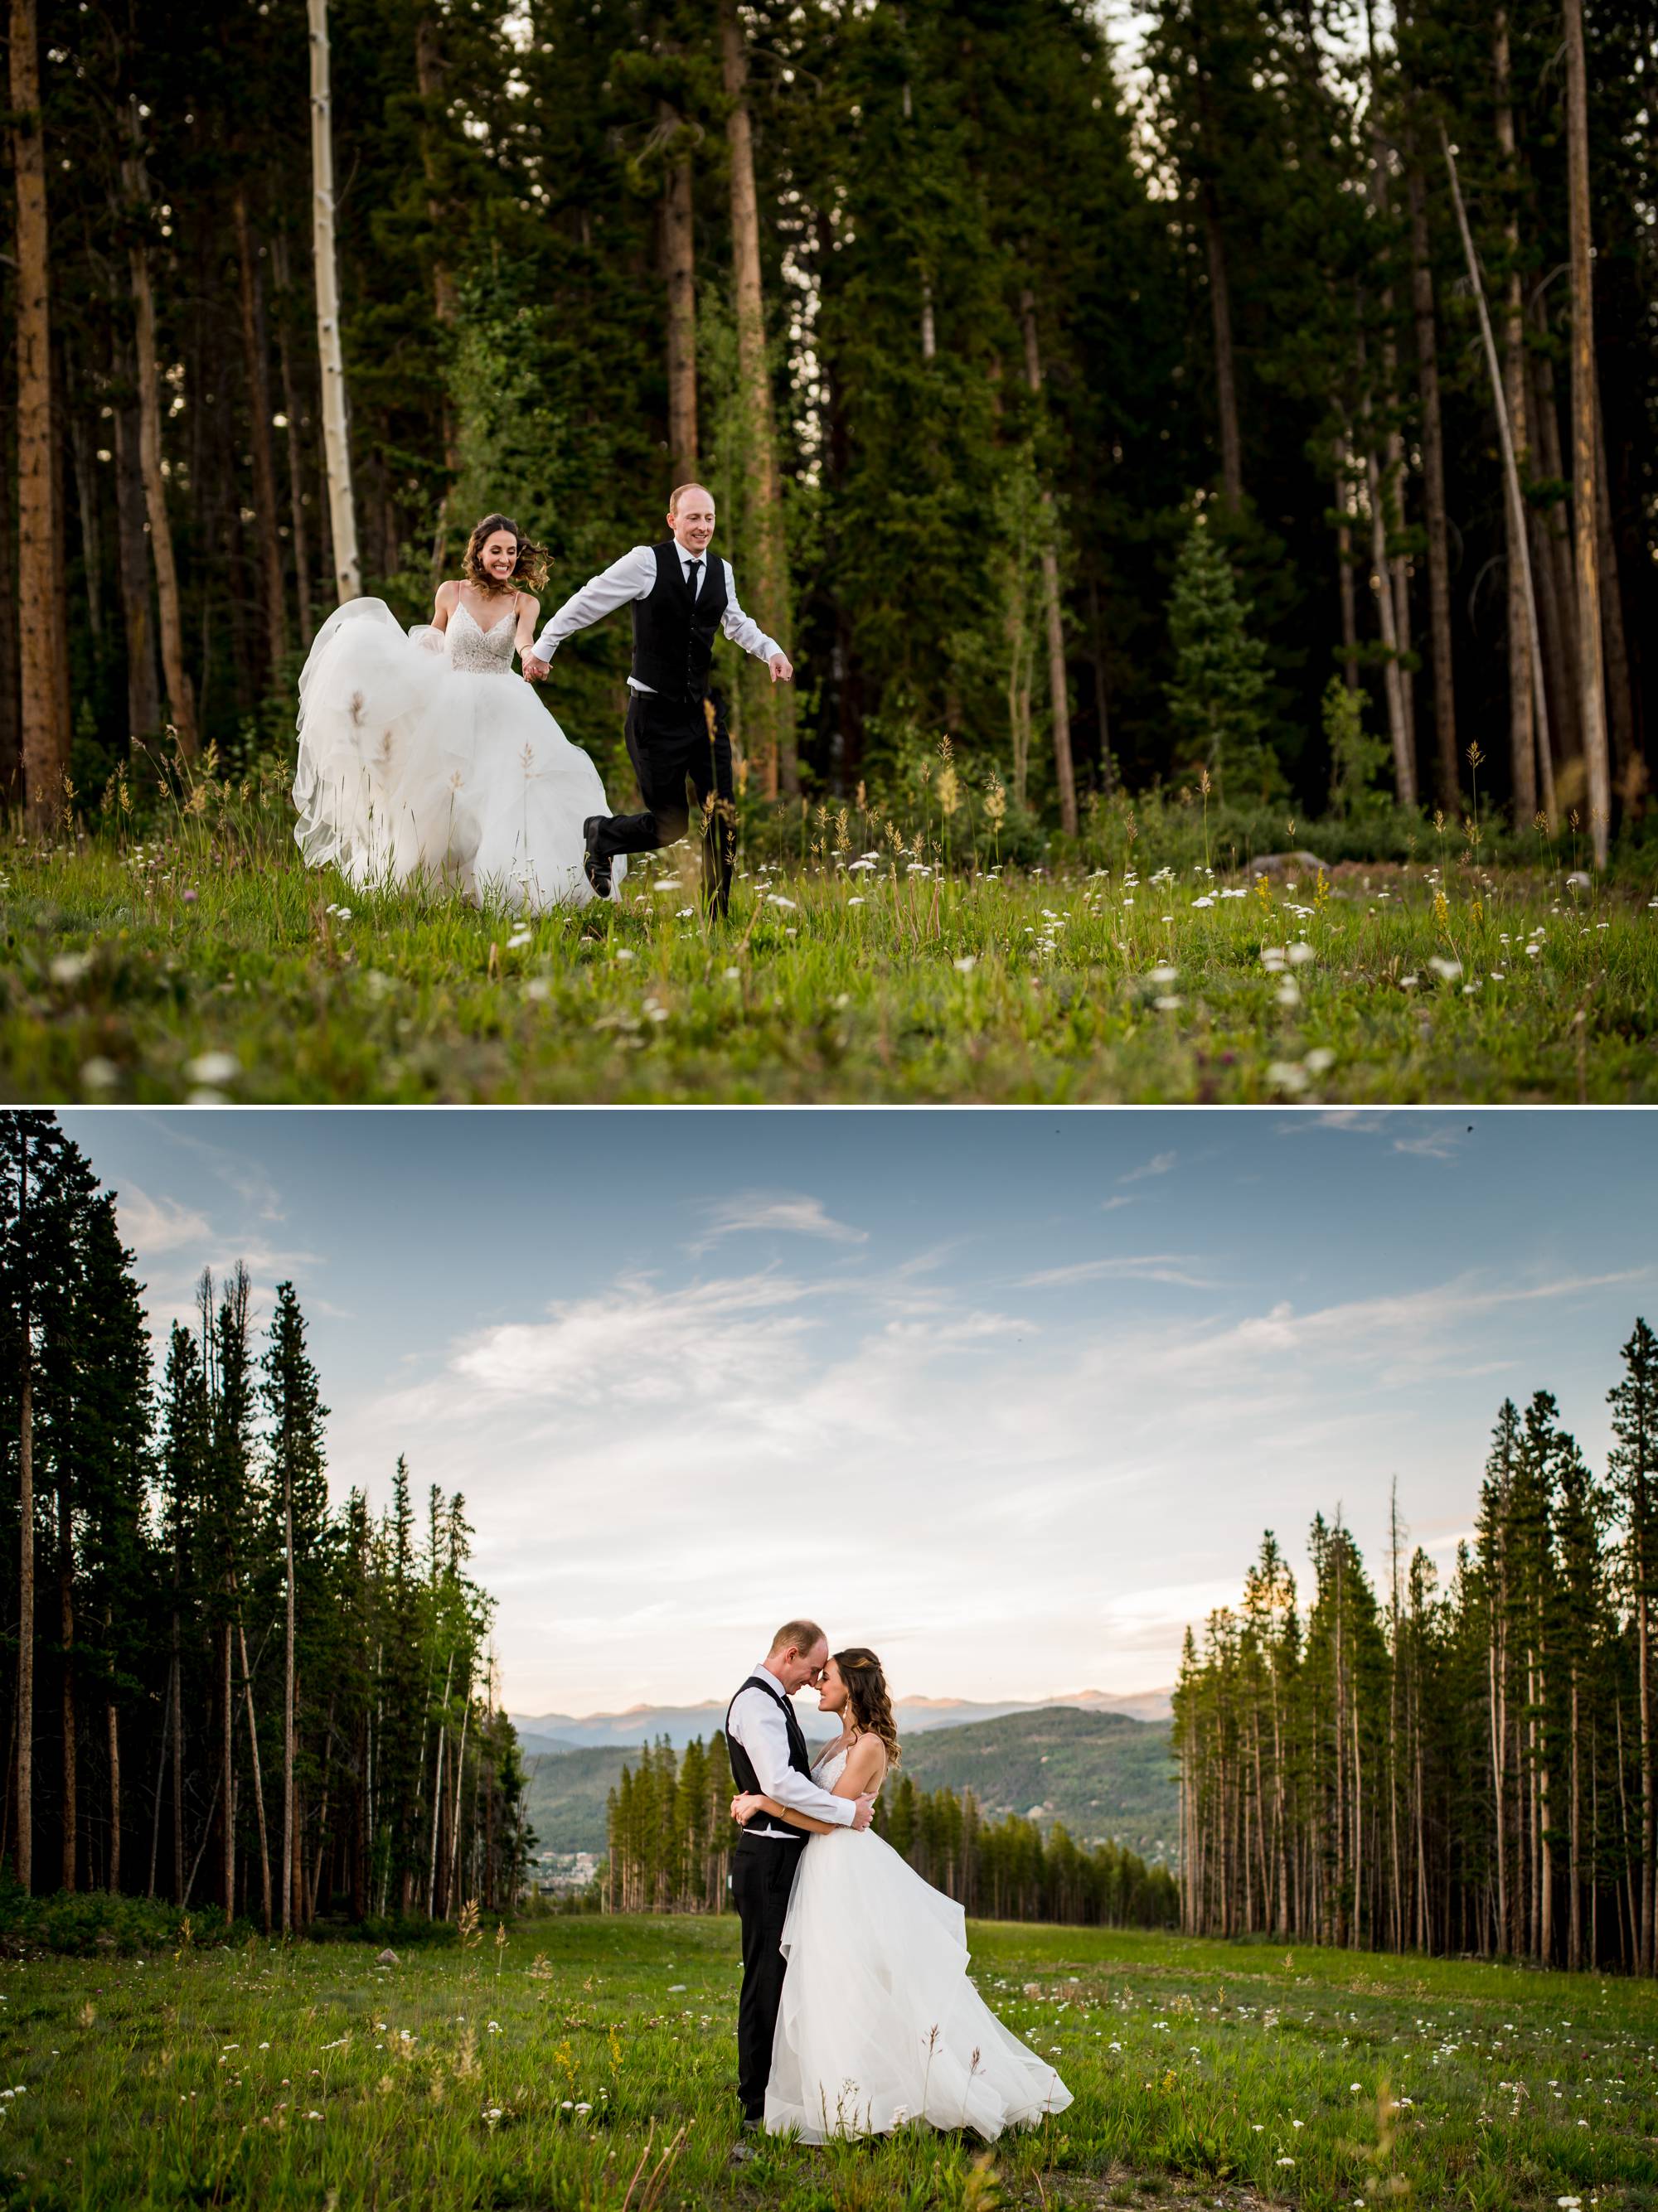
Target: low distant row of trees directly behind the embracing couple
x,y
672,1837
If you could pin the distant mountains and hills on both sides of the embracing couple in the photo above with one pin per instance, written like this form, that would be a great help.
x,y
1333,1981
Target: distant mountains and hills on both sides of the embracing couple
x,y
1106,1775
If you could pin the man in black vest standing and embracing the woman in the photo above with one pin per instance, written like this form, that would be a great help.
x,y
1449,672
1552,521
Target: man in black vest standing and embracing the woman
x,y
769,1757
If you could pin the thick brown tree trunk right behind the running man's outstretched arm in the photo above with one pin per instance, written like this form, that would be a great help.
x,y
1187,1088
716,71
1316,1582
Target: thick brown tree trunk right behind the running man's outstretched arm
x,y
758,432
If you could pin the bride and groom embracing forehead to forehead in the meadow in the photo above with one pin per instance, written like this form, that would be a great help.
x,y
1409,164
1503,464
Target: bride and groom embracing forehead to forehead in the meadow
x,y
856,2010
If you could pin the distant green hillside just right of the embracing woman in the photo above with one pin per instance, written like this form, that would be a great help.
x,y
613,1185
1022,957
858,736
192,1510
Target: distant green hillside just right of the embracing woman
x,y
1097,1773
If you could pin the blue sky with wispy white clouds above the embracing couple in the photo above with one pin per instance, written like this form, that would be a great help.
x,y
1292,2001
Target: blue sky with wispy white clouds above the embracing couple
x,y
1008,1397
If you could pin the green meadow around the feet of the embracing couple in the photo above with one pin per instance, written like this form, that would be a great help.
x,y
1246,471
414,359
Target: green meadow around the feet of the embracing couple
x,y
543,2072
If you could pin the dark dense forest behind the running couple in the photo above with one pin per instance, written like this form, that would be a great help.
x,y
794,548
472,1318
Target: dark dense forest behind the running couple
x,y
1270,401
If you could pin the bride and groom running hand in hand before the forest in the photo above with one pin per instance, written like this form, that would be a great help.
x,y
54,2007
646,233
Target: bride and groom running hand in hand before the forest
x,y
424,760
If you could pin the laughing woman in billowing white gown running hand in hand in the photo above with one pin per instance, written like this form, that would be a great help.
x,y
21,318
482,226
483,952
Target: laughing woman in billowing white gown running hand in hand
x,y
424,760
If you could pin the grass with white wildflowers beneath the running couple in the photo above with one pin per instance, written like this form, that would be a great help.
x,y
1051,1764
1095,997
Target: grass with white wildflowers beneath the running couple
x,y
211,963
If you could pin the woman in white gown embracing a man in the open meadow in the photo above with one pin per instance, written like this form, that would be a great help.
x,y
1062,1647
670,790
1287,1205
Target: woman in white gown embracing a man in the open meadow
x,y
880,2023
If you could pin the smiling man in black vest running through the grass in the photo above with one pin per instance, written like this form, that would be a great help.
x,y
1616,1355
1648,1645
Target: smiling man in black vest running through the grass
x,y
674,735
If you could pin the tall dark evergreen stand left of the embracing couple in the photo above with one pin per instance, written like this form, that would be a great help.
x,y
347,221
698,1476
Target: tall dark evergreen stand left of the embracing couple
x,y
222,1691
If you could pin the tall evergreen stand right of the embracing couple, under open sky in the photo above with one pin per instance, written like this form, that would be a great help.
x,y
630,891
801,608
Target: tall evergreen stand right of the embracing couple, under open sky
x,y
1447,1771
